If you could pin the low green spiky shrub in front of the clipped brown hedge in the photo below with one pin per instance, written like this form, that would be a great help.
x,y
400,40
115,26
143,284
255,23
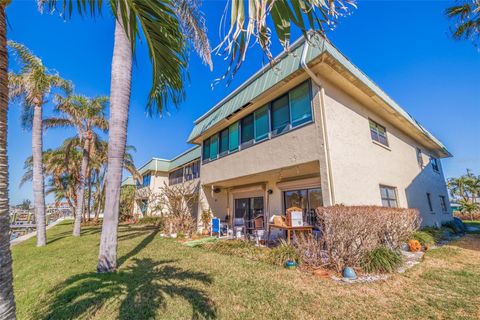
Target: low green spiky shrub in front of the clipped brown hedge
x,y
381,260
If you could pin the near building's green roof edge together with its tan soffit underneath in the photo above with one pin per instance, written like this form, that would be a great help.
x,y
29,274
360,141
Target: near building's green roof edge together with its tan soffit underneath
x,y
326,60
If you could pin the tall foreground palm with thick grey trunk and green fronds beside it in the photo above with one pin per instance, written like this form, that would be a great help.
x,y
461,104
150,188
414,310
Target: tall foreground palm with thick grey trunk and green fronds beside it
x,y
166,25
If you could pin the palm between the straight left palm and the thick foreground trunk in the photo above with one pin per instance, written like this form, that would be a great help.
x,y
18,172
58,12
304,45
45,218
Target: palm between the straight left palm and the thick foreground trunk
x,y
85,115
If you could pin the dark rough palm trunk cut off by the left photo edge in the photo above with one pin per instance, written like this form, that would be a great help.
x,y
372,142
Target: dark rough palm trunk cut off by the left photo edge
x,y
7,300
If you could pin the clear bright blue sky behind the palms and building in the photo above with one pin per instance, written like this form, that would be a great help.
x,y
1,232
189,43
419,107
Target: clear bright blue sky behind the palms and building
x,y
404,46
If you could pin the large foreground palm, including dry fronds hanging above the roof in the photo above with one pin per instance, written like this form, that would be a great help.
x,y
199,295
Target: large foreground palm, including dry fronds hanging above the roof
x,y
166,24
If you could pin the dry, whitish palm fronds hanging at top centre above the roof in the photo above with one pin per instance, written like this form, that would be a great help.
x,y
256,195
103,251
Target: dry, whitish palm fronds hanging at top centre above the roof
x,y
249,23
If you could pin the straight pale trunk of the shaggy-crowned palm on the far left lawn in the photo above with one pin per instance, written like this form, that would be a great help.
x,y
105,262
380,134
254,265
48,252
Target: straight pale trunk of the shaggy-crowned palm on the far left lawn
x,y
38,179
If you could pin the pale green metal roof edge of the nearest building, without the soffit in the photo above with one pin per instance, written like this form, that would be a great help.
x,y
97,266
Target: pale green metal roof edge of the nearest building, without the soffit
x,y
287,64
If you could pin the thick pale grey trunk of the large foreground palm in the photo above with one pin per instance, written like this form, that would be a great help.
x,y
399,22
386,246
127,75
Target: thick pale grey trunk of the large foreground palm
x,y
117,136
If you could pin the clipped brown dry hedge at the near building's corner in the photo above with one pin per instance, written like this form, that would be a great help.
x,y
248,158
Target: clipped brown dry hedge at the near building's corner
x,y
350,232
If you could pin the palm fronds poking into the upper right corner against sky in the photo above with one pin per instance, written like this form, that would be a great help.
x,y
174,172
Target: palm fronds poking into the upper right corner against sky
x,y
467,17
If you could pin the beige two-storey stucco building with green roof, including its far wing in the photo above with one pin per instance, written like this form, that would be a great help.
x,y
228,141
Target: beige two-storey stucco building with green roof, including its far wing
x,y
312,131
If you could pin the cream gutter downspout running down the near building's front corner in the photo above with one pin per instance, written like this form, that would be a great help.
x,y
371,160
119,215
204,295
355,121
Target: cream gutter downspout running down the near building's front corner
x,y
326,150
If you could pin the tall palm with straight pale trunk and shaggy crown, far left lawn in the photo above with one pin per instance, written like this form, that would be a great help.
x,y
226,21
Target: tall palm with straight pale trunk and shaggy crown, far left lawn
x,y
32,87
